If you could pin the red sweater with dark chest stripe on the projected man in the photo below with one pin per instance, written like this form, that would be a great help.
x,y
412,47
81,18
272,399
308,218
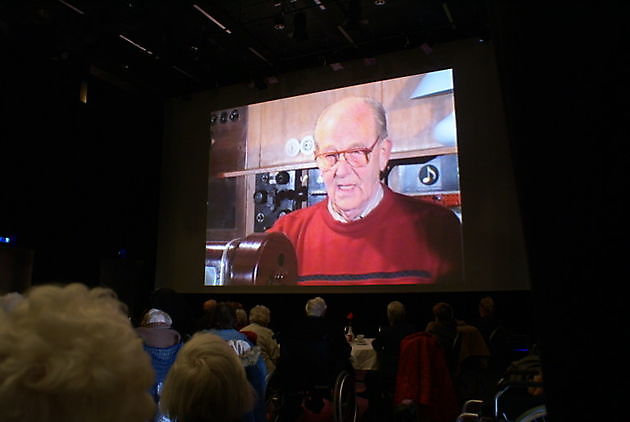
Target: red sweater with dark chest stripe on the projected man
x,y
402,241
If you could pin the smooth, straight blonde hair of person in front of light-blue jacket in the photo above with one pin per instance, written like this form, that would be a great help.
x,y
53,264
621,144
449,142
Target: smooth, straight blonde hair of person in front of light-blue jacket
x,y
207,383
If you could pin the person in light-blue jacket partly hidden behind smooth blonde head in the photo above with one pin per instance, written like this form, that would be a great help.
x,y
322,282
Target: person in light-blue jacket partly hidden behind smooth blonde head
x,y
224,326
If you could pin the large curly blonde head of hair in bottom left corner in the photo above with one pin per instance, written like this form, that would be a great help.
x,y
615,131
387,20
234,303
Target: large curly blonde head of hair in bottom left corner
x,y
70,354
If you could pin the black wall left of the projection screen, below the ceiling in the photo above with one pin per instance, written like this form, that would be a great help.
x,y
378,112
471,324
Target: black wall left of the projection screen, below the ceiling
x,y
79,182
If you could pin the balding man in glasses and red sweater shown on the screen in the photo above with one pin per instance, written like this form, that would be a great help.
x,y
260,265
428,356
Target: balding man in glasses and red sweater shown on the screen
x,y
365,233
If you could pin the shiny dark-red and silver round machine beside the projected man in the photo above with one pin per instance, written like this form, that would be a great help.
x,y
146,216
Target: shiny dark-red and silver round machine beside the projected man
x,y
261,259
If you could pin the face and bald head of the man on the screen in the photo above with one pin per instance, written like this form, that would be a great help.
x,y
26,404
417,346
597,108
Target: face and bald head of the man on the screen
x,y
346,126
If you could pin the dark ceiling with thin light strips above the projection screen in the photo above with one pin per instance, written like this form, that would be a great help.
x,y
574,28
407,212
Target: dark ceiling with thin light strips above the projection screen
x,y
172,47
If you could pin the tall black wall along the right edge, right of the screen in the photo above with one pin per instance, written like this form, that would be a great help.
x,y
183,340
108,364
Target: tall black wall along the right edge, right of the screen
x,y
572,183
